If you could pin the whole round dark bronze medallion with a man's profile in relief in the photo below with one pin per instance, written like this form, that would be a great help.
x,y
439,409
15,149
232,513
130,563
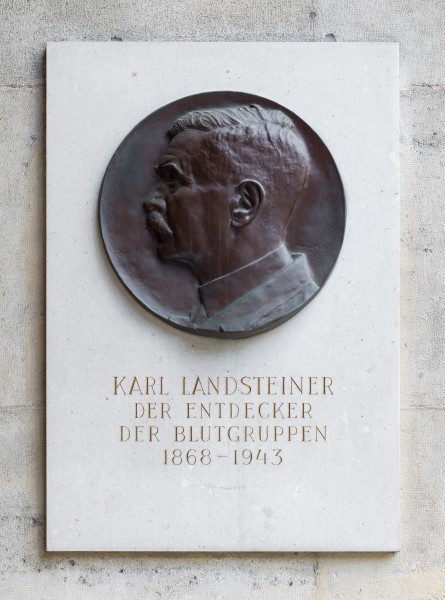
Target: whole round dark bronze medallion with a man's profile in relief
x,y
223,213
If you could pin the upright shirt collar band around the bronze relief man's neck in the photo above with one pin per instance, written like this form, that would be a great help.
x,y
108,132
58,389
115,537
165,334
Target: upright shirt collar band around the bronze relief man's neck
x,y
220,292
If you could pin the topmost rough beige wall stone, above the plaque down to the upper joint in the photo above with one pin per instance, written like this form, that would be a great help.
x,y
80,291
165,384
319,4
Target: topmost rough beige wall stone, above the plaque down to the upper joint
x,y
27,26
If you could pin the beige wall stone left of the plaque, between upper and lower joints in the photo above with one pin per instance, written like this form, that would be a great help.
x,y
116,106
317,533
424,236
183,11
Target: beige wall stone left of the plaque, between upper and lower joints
x,y
22,247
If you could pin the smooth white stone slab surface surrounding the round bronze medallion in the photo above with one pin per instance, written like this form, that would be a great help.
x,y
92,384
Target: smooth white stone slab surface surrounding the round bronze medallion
x,y
95,331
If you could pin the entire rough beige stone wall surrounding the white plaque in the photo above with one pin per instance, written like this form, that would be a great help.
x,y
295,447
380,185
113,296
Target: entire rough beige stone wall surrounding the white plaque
x,y
26,570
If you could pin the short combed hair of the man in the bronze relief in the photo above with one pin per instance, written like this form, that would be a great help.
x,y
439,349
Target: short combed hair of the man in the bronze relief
x,y
253,142
